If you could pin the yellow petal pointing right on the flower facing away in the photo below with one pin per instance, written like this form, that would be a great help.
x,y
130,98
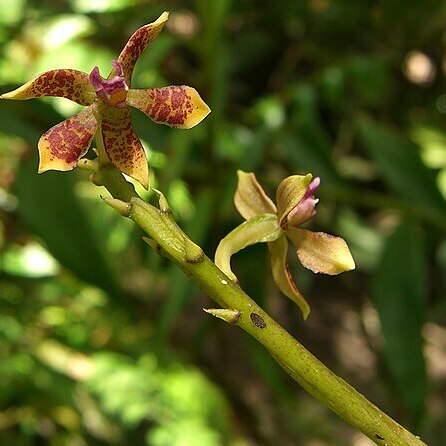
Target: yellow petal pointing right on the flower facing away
x,y
321,252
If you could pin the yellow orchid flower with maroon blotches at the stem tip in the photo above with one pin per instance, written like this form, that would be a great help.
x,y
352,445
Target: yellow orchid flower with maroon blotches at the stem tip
x,y
108,111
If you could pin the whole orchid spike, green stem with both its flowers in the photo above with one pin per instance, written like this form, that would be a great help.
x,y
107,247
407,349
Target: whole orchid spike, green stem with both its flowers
x,y
107,119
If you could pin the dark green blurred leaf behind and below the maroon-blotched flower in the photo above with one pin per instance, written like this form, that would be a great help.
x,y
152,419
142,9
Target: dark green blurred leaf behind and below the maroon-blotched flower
x,y
49,207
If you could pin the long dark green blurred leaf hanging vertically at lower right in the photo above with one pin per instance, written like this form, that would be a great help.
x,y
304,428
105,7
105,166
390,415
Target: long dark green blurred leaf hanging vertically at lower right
x,y
399,294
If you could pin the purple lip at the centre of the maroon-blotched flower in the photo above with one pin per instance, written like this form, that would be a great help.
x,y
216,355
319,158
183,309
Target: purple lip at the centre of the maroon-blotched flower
x,y
113,91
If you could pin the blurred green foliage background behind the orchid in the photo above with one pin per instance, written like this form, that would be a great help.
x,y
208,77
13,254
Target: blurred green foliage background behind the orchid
x,y
102,342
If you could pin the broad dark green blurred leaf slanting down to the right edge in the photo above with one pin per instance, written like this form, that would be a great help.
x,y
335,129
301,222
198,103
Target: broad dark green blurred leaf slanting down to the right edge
x,y
400,164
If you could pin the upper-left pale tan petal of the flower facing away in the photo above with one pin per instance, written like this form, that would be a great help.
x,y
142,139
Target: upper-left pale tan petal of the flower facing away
x,y
250,199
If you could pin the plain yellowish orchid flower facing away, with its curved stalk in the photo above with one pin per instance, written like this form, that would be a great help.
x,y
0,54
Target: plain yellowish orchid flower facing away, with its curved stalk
x,y
317,251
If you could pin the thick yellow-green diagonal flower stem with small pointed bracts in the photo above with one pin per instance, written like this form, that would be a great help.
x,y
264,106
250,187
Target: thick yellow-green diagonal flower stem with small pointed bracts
x,y
167,238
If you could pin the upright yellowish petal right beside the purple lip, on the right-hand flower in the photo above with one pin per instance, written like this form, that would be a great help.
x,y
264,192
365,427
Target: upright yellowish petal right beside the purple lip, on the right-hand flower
x,y
290,192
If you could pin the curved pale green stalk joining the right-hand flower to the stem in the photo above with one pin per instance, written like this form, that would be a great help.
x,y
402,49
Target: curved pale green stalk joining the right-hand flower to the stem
x,y
261,228
